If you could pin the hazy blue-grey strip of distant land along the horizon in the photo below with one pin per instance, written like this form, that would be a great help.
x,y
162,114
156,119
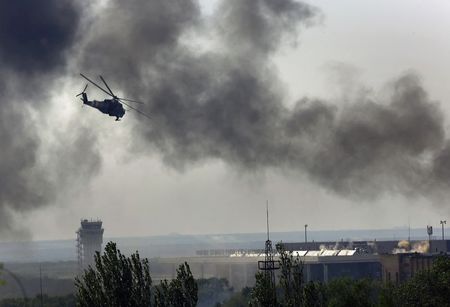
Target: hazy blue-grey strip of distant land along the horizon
x,y
178,245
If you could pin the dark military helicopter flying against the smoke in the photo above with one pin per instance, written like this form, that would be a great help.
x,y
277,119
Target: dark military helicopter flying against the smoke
x,y
112,107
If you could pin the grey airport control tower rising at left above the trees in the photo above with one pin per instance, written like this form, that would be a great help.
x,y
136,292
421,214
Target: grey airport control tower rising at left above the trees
x,y
89,240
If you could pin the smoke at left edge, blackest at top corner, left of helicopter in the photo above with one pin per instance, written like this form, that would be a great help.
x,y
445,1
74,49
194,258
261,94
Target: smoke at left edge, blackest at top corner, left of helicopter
x,y
36,38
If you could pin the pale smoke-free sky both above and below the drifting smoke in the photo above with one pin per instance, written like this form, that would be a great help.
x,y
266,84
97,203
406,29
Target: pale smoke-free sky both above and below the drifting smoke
x,y
359,46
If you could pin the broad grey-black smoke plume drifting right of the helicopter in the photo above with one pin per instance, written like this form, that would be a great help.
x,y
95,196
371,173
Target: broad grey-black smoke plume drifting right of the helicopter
x,y
222,99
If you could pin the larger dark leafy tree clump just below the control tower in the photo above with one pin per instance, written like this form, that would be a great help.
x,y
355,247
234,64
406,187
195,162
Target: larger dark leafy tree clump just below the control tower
x,y
115,281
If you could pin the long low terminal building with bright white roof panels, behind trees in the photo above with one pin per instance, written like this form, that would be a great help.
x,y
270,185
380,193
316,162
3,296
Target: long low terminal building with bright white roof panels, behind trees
x,y
393,261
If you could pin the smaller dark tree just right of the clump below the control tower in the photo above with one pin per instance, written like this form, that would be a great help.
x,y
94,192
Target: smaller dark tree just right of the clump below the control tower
x,y
182,291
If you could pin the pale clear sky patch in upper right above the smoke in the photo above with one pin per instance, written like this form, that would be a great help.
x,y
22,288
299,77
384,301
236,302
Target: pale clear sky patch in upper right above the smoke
x,y
380,38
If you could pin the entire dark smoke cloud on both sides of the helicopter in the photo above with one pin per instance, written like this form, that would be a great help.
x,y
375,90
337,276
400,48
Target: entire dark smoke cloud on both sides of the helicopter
x,y
213,93
